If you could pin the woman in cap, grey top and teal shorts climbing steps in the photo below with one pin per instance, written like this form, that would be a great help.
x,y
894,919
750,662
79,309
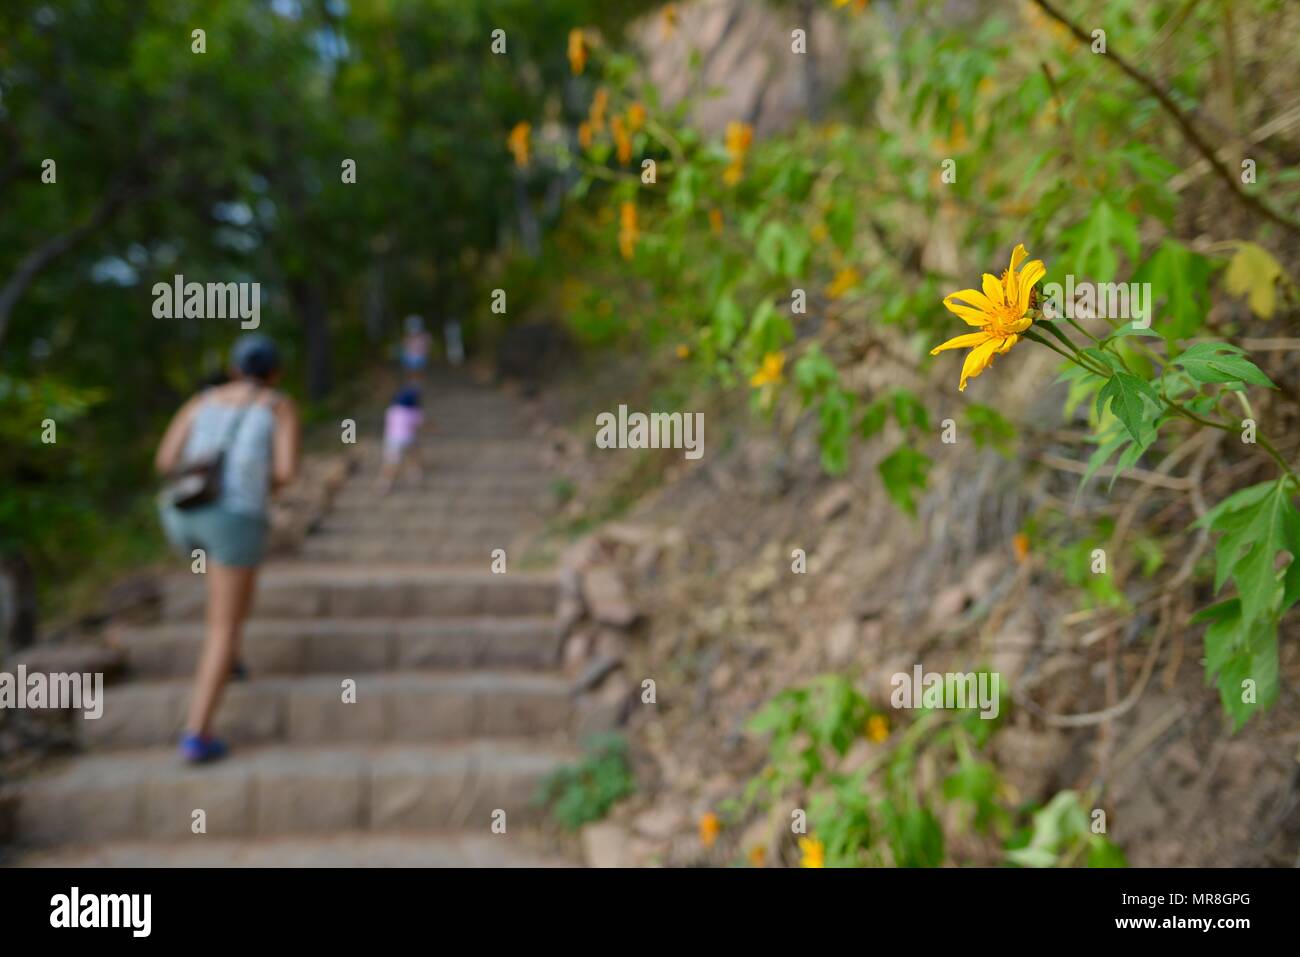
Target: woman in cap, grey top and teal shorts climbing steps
x,y
226,452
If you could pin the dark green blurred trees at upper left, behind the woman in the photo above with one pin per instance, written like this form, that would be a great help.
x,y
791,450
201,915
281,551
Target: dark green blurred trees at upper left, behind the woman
x,y
228,167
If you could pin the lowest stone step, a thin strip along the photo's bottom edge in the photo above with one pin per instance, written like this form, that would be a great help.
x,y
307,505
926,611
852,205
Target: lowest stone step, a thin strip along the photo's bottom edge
x,y
333,850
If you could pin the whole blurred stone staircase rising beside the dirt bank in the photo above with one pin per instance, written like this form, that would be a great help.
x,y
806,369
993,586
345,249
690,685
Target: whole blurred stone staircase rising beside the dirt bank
x,y
460,705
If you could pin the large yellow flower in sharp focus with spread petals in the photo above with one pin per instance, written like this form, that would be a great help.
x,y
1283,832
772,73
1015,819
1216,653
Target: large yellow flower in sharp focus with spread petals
x,y
999,313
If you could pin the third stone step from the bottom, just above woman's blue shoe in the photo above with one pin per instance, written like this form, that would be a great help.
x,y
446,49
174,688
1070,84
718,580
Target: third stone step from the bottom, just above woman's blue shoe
x,y
389,707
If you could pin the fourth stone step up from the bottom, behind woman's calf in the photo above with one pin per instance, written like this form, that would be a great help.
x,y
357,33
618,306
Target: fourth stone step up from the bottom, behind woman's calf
x,y
357,646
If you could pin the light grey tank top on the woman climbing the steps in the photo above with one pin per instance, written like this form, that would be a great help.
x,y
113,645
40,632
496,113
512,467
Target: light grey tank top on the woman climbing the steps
x,y
246,469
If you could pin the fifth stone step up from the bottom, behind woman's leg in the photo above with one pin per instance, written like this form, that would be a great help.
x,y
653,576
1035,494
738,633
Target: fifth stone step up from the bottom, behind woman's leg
x,y
301,590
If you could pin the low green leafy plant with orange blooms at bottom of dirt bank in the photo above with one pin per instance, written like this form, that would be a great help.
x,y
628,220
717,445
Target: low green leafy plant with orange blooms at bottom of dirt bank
x,y
878,809
